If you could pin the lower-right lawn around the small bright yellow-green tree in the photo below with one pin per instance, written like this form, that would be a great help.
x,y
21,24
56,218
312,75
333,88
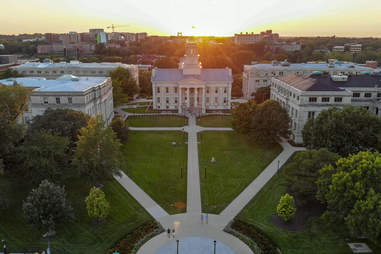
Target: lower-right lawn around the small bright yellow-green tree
x,y
314,239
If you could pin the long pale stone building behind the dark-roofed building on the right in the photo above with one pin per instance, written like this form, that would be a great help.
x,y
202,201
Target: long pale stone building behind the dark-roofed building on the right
x,y
259,75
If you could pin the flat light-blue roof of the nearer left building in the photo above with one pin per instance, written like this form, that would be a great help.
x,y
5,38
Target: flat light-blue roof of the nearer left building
x,y
66,83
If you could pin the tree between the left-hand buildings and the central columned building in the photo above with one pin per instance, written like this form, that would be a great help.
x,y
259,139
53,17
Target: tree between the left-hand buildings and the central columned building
x,y
123,85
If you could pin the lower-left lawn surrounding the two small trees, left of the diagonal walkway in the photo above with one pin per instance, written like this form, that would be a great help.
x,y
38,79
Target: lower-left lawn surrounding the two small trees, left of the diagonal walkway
x,y
80,236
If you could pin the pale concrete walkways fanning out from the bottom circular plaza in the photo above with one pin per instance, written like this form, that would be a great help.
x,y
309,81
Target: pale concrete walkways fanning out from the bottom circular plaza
x,y
189,224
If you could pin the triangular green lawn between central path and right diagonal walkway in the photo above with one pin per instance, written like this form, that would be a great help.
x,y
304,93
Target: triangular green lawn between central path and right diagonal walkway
x,y
237,164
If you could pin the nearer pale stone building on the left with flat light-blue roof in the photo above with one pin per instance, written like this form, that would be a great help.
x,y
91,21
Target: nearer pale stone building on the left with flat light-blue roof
x,y
90,95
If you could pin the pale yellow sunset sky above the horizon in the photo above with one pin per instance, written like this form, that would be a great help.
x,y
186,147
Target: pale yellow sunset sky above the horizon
x,y
353,18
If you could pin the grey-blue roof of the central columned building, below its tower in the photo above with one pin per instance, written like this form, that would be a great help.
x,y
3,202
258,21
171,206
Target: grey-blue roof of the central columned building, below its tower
x,y
207,75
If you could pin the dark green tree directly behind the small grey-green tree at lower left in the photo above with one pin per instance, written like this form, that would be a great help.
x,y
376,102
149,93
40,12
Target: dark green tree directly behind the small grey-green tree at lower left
x,y
43,156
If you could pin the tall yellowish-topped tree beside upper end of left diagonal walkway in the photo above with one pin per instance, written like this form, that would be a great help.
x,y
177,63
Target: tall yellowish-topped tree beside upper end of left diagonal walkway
x,y
98,154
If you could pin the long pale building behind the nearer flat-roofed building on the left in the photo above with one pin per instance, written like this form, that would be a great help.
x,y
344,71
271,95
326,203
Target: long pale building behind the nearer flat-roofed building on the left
x,y
52,70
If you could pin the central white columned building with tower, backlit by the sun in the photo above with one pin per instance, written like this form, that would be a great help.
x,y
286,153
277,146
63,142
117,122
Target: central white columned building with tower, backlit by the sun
x,y
191,87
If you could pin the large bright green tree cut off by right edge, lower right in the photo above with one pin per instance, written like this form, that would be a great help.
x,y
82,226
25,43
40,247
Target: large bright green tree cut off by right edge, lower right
x,y
352,192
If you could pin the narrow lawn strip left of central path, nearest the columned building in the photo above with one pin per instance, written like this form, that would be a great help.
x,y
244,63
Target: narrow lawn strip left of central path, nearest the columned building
x,y
157,121
